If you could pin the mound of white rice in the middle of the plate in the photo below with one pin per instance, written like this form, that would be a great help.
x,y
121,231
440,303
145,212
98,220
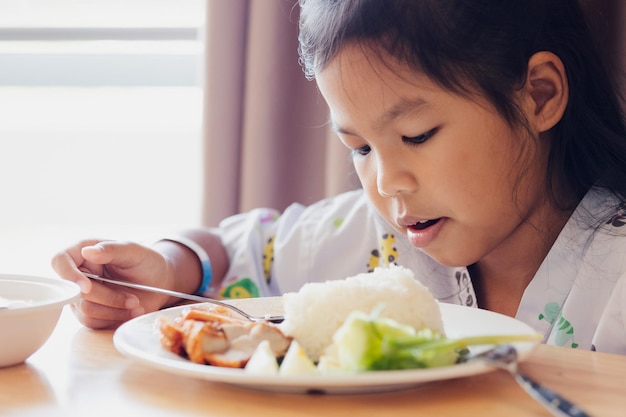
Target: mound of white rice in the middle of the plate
x,y
313,314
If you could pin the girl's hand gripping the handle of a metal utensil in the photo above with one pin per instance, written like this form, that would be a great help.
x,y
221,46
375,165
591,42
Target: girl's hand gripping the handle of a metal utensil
x,y
104,305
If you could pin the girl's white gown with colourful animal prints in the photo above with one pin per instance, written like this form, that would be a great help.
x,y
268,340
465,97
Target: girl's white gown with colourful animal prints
x,y
576,299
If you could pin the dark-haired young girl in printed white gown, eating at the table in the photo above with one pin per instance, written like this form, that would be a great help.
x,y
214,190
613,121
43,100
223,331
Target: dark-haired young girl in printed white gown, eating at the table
x,y
490,145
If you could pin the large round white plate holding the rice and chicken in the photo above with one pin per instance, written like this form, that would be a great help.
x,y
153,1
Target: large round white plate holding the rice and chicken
x,y
139,339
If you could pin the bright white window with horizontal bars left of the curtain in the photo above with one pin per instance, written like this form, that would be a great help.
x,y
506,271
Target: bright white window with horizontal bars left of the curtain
x,y
100,123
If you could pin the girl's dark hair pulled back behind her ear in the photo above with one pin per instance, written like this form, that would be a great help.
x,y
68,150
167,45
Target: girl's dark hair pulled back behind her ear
x,y
484,46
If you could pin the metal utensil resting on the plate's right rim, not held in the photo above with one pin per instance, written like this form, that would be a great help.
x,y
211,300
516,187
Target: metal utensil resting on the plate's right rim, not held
x,y
505,357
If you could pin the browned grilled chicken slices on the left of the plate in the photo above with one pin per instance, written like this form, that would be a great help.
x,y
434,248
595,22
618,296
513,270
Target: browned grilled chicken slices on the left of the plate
x,y
215,336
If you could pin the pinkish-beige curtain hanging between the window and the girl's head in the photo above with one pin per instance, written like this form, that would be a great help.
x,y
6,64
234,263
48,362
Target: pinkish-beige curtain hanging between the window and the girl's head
x,y
266,138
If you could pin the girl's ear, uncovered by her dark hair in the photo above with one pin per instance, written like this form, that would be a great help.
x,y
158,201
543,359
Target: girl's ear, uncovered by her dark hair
x,y
547,90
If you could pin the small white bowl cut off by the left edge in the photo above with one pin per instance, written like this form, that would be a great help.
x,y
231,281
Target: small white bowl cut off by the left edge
x,y
34,306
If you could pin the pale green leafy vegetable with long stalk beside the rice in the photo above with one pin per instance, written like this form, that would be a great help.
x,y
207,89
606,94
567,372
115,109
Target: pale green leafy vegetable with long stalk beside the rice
x,y
368,342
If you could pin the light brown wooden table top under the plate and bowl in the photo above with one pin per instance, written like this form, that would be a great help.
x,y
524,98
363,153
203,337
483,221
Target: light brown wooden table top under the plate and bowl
x,y
78,372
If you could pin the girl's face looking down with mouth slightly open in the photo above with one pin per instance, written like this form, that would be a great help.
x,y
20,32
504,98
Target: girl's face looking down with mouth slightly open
x,y
445,170
